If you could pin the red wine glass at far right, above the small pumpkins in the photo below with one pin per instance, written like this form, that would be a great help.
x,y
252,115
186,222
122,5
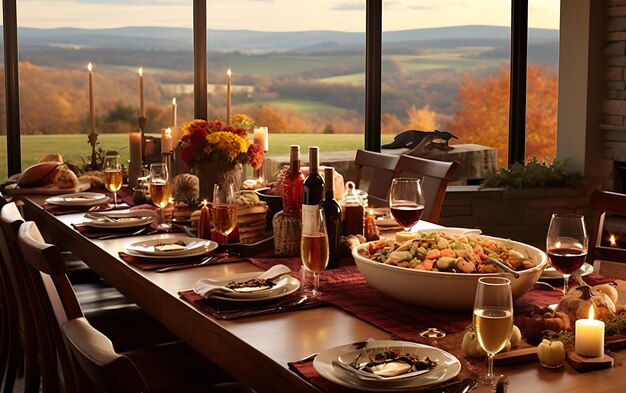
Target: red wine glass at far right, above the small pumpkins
x,y
567,244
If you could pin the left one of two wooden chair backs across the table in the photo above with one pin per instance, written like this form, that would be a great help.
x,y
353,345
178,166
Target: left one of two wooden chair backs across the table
x,y
379,170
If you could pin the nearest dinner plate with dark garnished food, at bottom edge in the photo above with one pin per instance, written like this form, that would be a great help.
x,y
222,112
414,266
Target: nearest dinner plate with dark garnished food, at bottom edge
x,y
386,365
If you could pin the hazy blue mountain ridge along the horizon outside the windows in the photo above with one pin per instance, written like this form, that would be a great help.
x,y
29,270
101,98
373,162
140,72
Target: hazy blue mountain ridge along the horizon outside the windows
x,y
171,38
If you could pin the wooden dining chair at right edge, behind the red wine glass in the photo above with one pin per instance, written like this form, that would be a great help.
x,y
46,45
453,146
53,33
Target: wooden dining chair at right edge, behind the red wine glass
x,y
609,260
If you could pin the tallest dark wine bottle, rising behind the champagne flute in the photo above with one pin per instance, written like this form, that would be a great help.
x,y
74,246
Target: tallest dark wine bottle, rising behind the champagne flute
x,y
312,191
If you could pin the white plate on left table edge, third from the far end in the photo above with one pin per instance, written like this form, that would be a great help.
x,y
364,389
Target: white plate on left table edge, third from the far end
x,y
193,247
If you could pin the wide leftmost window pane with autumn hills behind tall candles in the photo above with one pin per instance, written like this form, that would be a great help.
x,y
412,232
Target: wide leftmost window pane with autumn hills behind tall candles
x,y
117,37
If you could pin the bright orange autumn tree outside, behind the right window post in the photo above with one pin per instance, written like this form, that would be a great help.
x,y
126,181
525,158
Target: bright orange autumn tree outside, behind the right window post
x,y
483,116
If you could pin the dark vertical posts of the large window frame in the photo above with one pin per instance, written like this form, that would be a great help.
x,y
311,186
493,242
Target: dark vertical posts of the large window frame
x,y
373,77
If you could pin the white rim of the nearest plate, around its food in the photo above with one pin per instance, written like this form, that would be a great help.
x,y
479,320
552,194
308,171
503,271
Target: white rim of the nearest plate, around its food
x,y
447,368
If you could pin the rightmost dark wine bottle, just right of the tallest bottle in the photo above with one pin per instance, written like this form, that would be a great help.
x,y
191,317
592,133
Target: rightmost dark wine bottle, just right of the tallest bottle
x,y
332,214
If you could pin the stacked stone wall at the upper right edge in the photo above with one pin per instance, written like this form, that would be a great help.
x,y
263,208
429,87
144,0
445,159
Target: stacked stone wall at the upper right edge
x,y
614,104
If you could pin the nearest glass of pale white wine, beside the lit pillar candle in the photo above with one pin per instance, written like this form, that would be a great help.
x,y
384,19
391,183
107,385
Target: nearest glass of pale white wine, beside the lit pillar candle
x,y
493,320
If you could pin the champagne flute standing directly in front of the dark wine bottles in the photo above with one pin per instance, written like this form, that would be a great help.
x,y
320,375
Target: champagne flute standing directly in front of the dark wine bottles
x,y
314,248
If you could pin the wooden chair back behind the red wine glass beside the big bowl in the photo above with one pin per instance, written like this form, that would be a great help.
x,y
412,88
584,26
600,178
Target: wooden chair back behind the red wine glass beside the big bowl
x,y
435,177
